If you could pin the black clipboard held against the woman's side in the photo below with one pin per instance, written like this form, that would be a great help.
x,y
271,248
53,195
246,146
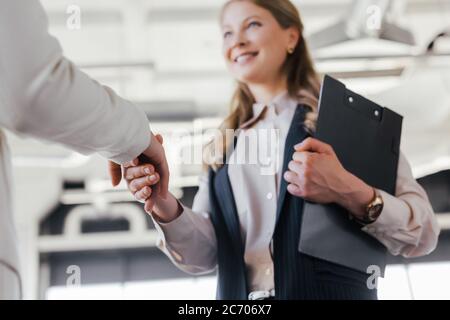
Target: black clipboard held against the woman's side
x,y
366,138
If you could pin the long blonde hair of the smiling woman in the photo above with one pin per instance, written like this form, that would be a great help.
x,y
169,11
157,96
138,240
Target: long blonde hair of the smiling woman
x,y
303,82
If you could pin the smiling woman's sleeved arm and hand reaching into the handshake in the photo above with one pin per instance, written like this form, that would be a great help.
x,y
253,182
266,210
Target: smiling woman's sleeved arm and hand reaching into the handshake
x,y
186,235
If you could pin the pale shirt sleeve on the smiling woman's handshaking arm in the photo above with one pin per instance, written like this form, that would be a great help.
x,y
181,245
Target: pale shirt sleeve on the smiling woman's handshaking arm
x,y
190,240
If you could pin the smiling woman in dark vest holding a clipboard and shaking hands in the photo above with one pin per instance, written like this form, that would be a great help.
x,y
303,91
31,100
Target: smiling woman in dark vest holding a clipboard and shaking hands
x,y
246,224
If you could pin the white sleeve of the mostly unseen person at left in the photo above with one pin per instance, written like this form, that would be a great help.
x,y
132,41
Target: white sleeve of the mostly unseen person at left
x,y
44,95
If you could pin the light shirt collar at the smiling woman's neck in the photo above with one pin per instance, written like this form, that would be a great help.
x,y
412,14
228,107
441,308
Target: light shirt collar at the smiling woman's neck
x,y
278,104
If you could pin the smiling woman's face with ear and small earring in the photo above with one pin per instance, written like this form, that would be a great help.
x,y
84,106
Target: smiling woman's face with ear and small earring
x,y
254,44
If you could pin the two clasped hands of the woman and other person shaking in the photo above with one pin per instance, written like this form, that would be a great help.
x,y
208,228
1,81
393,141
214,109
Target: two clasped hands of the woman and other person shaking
x,y
147,179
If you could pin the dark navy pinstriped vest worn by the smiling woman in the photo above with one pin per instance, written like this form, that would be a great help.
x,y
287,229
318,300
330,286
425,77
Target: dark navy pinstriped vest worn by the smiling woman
x,y
296,275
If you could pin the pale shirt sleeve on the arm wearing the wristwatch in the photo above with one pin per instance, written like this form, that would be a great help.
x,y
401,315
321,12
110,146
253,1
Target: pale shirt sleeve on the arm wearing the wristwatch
x,y
407,225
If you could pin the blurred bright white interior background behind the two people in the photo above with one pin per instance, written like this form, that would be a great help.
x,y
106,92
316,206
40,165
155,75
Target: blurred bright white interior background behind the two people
x,y
165,55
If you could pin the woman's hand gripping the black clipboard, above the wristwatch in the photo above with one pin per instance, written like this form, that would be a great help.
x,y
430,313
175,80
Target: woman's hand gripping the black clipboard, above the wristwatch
x,y
316,174
